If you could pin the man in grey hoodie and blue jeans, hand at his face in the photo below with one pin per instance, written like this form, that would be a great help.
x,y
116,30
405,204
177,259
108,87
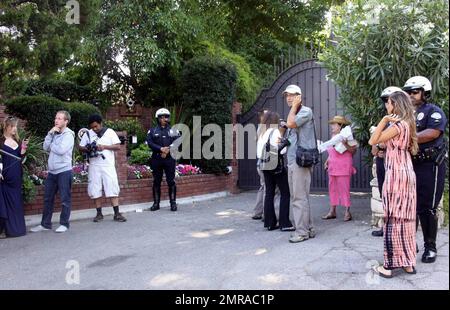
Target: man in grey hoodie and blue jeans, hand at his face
x,y
59,143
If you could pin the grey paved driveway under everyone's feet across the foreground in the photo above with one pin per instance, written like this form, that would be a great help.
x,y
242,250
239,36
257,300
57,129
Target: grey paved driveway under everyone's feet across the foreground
x,y
211,244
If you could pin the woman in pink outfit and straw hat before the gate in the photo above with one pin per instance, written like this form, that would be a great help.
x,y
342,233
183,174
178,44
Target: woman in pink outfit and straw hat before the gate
x,y
340,170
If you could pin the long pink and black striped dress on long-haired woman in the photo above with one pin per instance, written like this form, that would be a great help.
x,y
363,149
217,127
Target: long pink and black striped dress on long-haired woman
x,y
399,202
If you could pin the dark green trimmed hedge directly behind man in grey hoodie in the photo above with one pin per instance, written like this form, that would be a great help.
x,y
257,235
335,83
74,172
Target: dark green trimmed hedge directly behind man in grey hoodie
x,y
40,111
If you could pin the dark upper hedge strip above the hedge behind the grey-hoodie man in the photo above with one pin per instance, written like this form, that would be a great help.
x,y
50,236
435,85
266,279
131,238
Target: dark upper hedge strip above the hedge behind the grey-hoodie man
x,y
59,89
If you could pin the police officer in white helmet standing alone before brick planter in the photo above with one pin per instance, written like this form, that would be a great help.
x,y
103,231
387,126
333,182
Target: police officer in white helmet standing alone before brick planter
x,y
160,140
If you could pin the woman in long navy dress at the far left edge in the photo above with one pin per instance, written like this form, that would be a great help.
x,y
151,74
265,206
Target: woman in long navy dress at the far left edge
x,y
12,219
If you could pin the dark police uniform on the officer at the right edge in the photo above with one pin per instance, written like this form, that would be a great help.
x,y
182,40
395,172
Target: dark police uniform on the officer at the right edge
x,y
429,167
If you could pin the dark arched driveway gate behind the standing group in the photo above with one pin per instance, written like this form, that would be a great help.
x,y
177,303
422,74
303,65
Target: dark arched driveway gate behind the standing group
x,y
321,95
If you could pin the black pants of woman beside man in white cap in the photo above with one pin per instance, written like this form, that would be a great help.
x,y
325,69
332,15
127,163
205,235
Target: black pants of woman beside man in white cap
x,y
273,180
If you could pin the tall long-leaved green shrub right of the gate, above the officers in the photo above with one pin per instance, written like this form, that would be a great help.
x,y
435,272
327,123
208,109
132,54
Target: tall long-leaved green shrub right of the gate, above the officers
x,y
383,43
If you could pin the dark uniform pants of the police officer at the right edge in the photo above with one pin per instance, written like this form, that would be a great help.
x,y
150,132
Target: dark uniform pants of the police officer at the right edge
x,y
430,181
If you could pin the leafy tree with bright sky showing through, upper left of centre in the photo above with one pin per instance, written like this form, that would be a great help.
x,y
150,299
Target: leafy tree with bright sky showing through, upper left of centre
x,y
139,46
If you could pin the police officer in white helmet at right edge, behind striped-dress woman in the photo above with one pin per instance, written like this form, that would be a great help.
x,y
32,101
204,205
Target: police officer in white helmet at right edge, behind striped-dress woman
x,y
429,163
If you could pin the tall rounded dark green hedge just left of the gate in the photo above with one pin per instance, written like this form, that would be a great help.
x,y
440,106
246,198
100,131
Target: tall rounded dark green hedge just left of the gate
x,y
209,89
